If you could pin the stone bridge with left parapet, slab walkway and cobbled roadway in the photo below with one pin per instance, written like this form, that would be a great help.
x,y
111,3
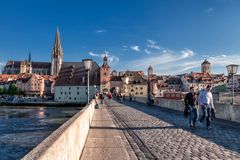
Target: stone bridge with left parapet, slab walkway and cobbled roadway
x,y
131,130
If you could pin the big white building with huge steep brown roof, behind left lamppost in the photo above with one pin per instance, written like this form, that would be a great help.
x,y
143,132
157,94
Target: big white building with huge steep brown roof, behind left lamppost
x,y
71,84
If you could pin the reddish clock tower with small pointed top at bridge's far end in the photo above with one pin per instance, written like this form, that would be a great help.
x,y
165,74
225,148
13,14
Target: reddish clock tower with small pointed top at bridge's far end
x,y
105,76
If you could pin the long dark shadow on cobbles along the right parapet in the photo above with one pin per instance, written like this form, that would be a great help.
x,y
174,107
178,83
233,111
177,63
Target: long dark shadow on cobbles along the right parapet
x,y
220,134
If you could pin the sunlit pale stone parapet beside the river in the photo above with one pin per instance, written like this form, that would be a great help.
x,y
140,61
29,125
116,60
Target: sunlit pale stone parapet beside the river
x,y
67,142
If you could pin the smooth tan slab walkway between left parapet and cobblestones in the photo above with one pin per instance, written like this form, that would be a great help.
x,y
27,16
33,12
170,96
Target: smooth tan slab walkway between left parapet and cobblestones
x,y
104,141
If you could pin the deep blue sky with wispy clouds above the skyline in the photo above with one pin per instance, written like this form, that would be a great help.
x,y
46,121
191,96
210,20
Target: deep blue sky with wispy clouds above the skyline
x,y
171,35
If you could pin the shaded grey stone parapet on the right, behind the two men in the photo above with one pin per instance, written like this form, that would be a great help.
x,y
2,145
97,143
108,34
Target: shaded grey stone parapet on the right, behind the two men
x,y
224,111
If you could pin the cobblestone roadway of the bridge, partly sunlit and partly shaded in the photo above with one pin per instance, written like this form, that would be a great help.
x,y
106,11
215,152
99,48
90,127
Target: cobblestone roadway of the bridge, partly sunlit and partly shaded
x,y
157,133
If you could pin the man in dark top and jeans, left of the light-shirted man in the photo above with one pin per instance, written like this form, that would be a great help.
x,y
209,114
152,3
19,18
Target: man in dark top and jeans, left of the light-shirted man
x,y
191,104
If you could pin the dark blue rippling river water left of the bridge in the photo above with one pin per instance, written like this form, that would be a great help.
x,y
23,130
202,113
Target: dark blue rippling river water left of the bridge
x,y
23,128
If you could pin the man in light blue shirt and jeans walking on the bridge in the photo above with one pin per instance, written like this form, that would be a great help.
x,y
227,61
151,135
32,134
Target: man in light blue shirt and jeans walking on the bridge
x,y
206,102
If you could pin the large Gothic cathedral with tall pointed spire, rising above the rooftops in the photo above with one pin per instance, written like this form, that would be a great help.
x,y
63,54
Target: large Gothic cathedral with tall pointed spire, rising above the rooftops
x,y
42,68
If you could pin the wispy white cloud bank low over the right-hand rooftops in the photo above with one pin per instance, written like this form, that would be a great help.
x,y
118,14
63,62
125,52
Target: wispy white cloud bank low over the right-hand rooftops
x,y
167,61
